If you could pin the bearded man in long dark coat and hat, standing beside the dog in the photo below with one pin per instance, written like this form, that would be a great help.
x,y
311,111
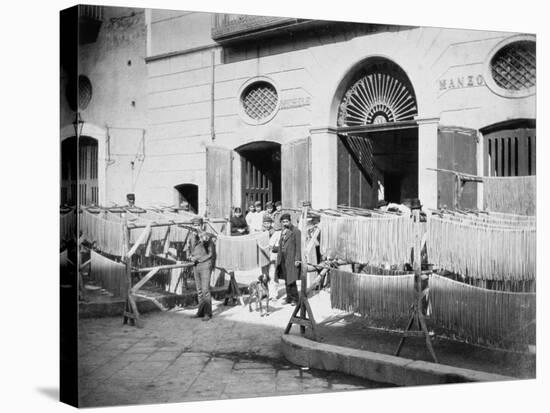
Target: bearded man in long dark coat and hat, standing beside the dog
x,y
288,260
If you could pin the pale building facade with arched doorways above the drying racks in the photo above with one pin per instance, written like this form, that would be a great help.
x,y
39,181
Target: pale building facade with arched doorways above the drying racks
x,y
233,108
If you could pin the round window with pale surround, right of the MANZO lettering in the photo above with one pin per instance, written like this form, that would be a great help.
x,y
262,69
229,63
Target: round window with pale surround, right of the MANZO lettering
x,y
513,68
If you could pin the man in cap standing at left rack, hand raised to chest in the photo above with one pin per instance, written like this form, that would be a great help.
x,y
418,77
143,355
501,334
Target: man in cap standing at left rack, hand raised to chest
x,y
200,251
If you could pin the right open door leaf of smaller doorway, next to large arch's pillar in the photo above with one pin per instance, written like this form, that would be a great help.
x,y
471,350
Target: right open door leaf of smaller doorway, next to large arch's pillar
x,y
296,173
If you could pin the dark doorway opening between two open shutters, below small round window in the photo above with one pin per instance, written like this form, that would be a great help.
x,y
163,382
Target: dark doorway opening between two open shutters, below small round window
x,y
260,172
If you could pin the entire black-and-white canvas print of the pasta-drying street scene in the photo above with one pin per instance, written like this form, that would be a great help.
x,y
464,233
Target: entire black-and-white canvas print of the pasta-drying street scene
x,y
254,206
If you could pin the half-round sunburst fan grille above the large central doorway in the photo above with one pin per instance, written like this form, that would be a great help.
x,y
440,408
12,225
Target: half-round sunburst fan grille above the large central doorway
x,y
375,98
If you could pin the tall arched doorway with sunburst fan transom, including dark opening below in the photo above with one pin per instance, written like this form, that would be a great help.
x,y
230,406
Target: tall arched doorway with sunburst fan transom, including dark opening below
x,y
378,136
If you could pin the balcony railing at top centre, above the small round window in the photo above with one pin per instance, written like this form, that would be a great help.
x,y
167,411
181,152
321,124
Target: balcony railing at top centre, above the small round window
x,y
231,26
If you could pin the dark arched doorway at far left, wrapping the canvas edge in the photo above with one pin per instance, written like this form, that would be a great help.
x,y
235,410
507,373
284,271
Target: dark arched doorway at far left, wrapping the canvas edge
x,y
79,174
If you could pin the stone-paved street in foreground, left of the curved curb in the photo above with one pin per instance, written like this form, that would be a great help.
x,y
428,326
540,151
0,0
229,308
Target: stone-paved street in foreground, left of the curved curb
x,y
177,358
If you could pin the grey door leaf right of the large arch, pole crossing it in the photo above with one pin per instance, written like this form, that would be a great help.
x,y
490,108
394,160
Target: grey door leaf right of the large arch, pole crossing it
x,y
456,151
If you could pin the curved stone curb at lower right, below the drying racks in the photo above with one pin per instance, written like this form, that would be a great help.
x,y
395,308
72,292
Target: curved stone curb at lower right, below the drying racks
x,y
377,366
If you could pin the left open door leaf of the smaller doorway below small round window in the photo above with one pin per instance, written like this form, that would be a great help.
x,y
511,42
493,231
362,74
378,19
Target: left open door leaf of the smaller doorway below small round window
x,y
218,181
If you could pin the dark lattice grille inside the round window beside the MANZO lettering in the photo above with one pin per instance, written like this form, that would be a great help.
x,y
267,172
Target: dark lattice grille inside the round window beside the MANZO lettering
x,y
514,66
